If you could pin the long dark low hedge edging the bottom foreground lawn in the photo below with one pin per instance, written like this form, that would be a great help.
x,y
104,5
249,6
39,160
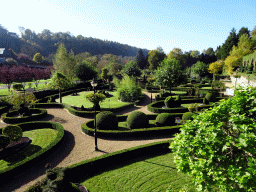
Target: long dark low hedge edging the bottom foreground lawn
x,y
78,172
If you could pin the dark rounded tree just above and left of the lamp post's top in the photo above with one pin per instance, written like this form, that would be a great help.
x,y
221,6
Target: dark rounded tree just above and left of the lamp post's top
x,y
85,71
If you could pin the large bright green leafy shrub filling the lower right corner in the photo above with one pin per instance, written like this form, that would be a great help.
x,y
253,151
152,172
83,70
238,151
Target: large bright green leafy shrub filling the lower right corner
x,y
218,147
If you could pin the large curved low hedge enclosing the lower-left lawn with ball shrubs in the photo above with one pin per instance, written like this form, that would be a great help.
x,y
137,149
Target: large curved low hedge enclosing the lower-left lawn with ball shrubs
x,y
36,158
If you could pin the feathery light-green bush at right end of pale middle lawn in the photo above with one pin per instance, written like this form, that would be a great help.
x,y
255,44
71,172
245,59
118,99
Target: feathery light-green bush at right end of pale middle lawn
x,y
128,90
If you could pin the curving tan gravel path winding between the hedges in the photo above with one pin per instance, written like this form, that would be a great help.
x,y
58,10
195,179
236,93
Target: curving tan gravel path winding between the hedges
x,y
77,146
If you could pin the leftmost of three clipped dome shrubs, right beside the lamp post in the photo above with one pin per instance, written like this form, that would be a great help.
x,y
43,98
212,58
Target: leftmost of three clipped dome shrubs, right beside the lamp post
x,y
106,120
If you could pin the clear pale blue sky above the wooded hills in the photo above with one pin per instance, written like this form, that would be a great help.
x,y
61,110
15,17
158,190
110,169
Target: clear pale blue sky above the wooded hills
x,y
185,24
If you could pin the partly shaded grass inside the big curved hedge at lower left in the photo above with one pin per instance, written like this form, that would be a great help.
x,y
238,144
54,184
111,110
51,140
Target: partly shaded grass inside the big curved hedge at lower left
x,y
41,138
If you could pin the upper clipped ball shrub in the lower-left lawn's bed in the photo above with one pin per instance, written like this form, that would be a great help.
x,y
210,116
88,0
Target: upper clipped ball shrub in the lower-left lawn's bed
x,y
14,132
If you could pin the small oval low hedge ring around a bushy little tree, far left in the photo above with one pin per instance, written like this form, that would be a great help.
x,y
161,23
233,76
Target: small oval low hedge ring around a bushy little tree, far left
x,y
14,120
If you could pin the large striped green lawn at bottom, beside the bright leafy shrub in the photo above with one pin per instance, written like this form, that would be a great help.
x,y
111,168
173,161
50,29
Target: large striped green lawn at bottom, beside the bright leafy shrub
x,y
152,174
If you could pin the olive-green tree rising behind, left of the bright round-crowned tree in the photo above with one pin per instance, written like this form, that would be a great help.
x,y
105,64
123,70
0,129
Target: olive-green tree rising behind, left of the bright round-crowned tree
x,y
155,57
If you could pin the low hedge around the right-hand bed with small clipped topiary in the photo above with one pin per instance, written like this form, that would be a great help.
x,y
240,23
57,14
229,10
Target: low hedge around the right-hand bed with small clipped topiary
x,y
154,107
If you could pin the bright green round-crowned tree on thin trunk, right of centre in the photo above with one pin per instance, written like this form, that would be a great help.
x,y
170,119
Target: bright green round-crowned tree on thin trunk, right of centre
x,y
169,73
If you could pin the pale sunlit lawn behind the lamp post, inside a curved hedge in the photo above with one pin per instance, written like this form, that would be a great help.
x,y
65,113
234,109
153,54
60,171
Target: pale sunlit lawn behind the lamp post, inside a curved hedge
x,y
80,100
